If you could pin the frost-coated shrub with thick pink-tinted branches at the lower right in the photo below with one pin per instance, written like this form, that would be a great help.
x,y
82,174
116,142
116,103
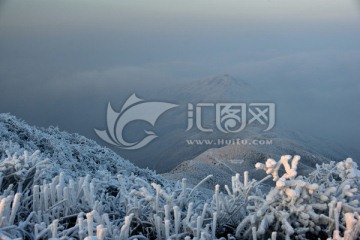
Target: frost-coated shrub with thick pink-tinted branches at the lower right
x,y
305,208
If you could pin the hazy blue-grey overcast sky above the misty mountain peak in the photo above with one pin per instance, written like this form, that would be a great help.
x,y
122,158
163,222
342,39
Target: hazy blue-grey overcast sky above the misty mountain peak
x,y
62,61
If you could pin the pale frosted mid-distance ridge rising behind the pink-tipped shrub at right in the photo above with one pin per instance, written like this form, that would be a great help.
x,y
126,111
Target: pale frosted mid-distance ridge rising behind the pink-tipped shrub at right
x,y
225,161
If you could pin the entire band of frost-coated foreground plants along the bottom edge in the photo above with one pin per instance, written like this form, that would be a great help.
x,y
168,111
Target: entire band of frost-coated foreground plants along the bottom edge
x,y
323,205
